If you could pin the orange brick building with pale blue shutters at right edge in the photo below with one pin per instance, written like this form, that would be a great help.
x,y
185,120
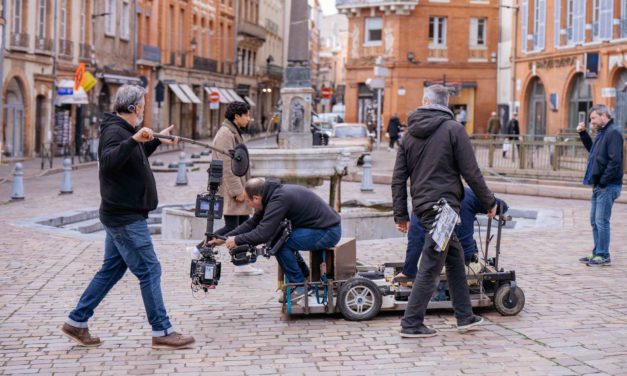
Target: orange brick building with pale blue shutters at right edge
x,y
569,55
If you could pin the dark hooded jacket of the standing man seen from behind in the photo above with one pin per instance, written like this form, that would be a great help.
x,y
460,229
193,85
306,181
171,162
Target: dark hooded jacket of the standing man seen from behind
x,y
433,155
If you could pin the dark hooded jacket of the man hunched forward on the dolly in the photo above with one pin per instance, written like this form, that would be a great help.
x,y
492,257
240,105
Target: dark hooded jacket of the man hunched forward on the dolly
x,y
301,206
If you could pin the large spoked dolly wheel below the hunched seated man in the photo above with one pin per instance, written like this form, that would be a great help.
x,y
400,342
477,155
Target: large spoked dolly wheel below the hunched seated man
x,y
359,299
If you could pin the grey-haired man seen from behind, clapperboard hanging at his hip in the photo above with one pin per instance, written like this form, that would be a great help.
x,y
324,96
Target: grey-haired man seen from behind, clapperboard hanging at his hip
x,y
433,155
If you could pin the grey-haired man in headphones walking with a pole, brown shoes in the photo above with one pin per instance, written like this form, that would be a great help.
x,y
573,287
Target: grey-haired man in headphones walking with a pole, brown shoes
x,y
128,192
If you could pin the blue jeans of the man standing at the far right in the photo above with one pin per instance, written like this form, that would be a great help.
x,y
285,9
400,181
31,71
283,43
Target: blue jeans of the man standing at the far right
x,y
600,213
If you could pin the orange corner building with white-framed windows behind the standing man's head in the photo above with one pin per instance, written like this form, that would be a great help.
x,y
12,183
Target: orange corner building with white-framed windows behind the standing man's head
x,y
422,43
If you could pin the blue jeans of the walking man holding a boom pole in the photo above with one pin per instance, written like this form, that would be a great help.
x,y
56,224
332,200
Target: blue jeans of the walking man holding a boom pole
x,y
129,247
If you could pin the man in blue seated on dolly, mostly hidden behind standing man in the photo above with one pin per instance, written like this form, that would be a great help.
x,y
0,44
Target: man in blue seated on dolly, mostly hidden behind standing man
x,y
470,207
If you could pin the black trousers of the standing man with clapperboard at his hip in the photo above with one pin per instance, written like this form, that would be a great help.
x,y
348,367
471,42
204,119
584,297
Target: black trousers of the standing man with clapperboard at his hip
x,y
429,268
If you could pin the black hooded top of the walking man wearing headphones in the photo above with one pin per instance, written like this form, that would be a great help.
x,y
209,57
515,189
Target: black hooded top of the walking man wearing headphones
x,y
127,186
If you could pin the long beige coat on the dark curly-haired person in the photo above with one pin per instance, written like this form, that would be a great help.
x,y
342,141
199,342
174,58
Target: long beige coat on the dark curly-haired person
x,y
226,139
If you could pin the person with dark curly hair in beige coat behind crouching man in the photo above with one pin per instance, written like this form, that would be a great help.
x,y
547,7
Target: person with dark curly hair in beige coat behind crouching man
x,y
235,209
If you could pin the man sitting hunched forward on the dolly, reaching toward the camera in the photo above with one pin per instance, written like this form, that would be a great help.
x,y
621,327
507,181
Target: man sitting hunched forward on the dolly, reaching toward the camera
x,y
315,225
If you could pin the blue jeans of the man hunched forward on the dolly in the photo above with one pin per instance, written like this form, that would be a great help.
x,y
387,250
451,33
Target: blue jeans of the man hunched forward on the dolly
x,y
305,239
